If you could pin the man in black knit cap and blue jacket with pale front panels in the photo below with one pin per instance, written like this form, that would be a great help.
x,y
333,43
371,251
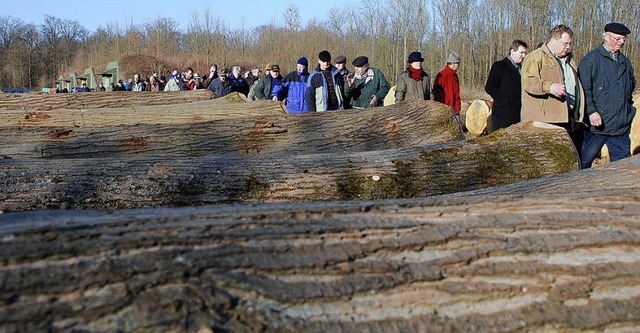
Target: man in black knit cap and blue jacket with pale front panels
x,y
324,86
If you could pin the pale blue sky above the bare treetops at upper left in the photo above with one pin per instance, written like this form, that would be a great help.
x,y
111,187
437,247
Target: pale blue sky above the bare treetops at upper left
x,y
94,13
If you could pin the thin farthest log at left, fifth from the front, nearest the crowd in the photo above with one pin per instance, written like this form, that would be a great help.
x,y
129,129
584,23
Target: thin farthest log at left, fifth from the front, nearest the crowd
x,y
115,99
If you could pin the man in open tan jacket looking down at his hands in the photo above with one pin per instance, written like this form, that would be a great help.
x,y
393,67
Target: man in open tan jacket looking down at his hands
x,y
551,91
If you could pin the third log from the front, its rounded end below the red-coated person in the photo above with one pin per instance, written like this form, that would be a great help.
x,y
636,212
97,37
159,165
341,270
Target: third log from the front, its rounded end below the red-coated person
x,y
404,124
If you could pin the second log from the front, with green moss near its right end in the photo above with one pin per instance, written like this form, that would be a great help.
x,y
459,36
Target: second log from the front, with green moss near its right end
x,y
523,151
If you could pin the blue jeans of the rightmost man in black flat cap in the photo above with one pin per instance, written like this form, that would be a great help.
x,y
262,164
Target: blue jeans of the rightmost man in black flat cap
x,y
619,147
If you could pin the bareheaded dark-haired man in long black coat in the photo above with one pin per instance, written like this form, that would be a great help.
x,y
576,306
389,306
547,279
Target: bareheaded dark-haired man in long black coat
x,y
505,87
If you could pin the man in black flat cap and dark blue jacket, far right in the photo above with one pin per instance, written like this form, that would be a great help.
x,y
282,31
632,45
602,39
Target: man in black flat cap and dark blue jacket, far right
x,y
608,80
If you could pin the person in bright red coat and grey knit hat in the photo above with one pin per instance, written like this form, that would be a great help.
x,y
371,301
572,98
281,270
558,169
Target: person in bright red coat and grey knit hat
x,y
446,86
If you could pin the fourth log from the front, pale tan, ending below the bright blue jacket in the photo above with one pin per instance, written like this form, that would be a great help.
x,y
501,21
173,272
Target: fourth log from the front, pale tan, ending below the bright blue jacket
x,y
229,107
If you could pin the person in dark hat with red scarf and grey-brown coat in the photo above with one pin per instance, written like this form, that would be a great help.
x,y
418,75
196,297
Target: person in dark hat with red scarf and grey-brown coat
x,y
413,83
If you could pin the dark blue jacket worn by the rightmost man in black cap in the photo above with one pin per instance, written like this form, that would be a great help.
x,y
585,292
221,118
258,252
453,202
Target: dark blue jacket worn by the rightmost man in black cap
x,y
608,87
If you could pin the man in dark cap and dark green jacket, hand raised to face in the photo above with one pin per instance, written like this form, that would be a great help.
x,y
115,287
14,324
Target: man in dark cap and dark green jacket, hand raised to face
x,y
366,86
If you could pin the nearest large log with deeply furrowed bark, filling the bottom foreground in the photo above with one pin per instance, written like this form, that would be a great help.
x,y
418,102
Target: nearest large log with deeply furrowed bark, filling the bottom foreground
x,y
559,257
